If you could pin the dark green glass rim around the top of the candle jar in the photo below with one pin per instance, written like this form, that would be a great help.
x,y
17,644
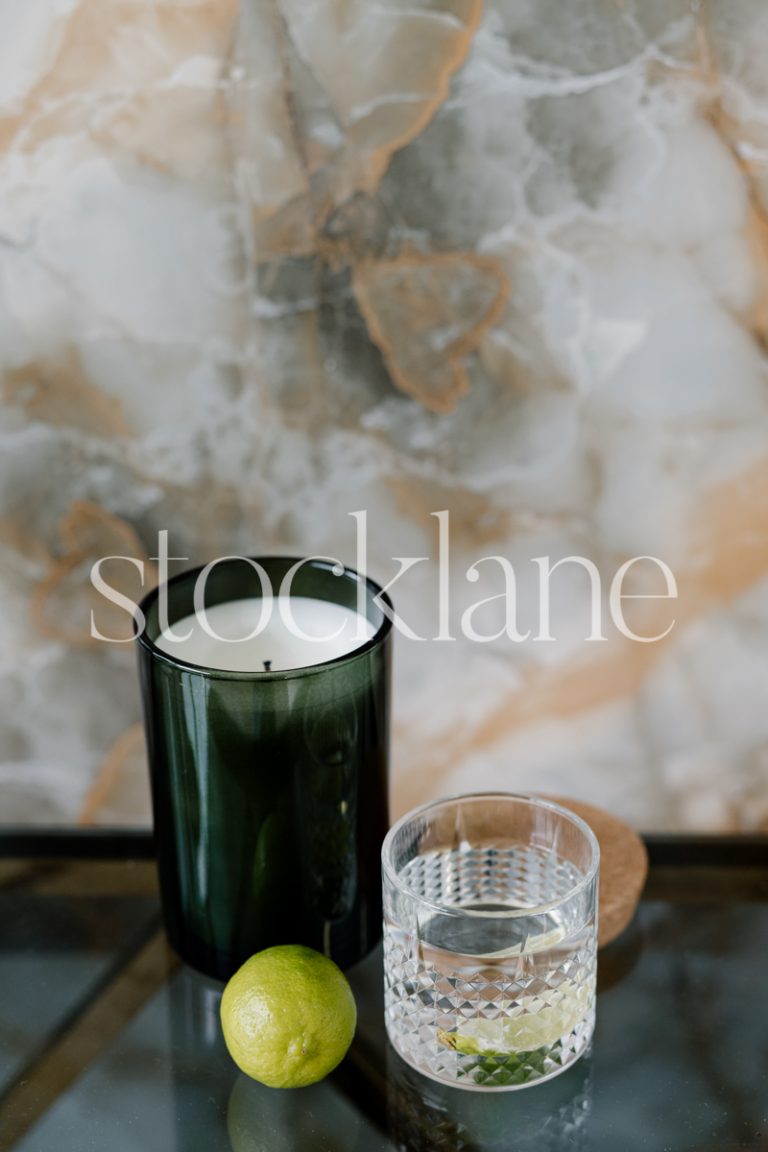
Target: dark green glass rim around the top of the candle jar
x,y
311,670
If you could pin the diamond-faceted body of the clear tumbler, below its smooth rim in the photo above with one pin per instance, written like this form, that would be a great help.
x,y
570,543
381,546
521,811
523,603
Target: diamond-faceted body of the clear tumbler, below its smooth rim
x,y
477,997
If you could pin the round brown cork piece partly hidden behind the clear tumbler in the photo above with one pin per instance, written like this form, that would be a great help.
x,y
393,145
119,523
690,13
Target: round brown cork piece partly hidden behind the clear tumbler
x,y
623,867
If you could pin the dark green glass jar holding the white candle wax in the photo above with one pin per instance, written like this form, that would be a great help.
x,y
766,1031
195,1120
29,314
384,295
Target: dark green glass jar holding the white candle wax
x,y
270,789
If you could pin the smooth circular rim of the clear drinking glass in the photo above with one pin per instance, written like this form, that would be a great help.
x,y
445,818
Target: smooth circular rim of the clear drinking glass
x,y
458,911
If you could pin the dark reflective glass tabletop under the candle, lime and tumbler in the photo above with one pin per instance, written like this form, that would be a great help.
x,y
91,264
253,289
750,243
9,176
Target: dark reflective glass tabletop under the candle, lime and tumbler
x,y
108,1041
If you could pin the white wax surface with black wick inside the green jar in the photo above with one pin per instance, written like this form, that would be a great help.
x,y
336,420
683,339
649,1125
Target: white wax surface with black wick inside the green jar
x,y
300,633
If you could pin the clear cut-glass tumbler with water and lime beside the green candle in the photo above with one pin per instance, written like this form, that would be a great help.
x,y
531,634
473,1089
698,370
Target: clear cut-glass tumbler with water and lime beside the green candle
x,y
491,933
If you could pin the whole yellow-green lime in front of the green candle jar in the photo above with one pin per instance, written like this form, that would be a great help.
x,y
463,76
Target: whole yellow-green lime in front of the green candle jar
x,y
288,1017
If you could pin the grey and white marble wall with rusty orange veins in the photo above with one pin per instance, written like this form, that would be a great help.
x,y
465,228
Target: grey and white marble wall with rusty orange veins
x,y
263,264
